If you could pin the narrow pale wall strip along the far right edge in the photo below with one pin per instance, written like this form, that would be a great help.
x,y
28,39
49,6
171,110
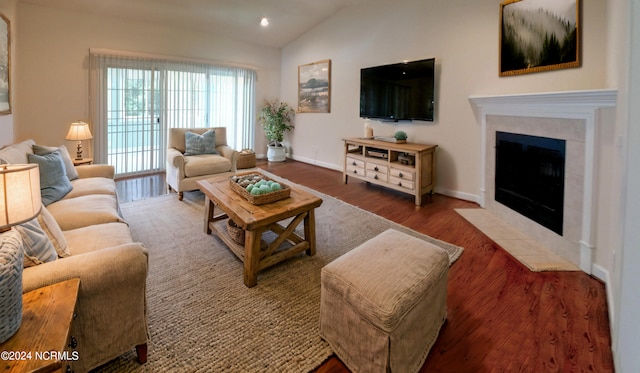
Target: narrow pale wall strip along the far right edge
x,y
625,279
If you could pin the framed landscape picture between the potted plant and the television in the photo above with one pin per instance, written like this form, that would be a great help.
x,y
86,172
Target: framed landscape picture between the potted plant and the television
x,y
314,87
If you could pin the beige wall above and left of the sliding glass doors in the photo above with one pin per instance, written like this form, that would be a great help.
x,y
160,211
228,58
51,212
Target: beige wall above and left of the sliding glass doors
x,y
53,50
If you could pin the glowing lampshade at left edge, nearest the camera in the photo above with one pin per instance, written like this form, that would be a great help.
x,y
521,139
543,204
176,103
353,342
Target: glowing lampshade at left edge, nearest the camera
x,y
20,199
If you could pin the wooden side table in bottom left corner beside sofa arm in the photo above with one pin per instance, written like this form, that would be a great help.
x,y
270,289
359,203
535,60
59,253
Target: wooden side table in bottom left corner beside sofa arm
x,y
40,344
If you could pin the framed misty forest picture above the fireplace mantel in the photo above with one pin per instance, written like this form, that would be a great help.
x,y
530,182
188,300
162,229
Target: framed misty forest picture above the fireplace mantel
x,y
539,35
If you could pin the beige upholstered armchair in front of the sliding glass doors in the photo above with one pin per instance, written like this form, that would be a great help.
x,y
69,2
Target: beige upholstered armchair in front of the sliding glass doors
x,y
183,171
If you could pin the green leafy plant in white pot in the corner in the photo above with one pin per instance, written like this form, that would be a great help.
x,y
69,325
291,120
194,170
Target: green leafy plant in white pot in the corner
x,y
276,119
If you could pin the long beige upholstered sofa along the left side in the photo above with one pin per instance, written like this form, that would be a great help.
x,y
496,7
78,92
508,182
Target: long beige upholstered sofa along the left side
x,y
112,268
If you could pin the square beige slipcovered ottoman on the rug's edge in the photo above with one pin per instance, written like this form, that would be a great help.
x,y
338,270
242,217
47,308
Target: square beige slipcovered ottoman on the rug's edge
x,y
383,303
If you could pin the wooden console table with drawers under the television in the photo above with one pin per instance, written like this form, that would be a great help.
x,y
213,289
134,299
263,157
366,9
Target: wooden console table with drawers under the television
x,y
406,167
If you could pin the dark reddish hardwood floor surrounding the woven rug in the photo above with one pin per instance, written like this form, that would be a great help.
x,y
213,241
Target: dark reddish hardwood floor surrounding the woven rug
x,y
501,316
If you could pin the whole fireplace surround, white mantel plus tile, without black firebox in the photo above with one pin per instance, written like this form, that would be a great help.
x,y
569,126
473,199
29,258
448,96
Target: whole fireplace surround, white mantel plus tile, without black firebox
x,y
571,116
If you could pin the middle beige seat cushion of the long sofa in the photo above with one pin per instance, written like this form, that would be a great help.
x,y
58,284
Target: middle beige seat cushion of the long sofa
x,y
84,211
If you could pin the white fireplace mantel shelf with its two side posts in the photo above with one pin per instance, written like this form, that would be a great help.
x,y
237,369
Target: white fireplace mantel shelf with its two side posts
x,y
581,105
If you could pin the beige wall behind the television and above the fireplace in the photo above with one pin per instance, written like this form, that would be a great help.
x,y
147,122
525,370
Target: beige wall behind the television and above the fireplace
x,y
463,37
